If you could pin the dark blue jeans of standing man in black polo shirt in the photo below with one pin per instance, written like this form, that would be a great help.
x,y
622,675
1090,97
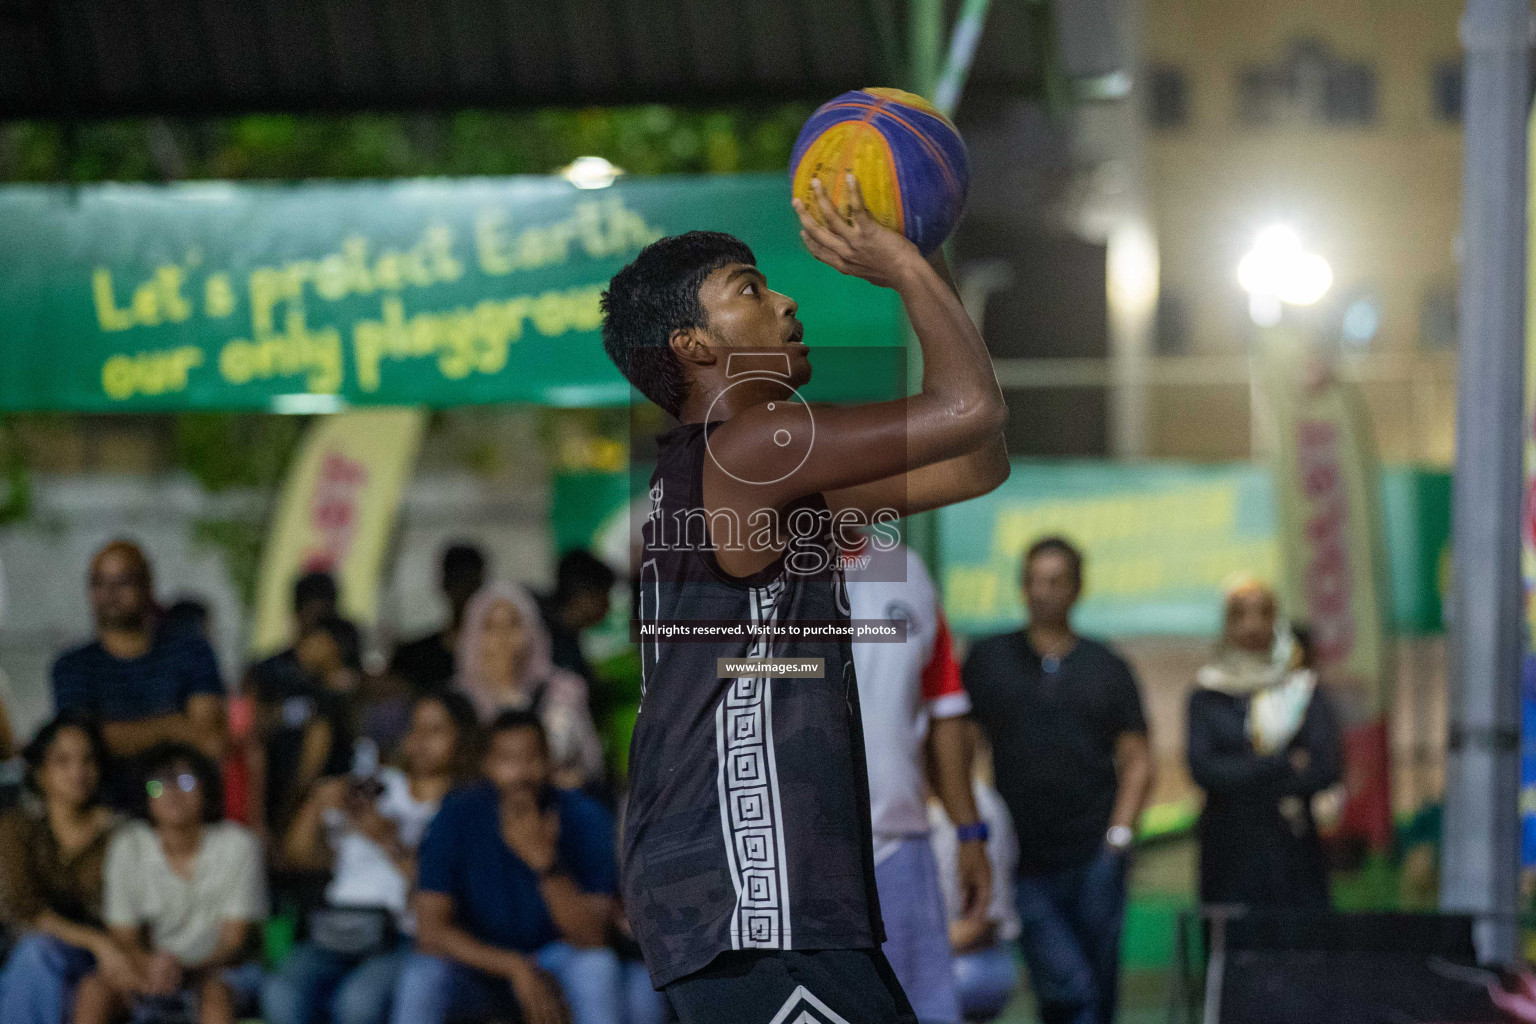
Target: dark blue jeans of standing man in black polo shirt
x,y
1071,939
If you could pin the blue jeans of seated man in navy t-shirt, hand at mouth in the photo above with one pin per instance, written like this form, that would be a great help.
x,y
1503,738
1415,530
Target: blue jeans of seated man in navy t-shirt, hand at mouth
x,y
434,989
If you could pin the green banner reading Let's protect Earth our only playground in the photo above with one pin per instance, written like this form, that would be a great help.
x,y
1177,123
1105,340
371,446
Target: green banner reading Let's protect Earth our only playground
x,y
313,297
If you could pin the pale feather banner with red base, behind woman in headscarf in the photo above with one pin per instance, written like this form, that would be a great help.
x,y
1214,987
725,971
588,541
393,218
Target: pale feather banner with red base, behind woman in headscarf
x,y
1332,561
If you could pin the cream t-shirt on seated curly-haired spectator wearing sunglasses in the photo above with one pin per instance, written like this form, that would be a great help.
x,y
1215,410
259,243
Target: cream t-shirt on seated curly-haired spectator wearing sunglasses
x,y
185,916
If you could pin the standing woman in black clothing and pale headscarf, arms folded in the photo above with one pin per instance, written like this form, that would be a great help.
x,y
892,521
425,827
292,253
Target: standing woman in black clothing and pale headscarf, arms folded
x,y
1263,742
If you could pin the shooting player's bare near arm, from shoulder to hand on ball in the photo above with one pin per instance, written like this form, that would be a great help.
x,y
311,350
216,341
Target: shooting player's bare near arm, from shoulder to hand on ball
x,y
830,449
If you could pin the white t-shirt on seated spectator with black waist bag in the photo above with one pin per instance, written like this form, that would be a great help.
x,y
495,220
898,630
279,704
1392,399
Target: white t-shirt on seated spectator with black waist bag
x,y
363,874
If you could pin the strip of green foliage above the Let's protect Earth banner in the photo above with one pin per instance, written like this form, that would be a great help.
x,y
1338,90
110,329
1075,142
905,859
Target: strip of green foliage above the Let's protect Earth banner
x,y
641,140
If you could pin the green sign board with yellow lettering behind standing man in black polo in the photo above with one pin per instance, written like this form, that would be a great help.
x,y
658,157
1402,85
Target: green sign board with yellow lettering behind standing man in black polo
x,y
1164,540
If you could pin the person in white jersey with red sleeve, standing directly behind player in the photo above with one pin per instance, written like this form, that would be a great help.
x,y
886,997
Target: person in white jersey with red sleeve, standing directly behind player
x,y
913,705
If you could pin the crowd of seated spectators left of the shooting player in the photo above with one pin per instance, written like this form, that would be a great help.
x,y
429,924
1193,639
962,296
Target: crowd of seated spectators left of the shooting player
x,y
439,836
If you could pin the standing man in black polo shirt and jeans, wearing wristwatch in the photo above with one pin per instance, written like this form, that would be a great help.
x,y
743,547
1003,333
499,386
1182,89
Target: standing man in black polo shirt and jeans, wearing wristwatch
x,y
1070,745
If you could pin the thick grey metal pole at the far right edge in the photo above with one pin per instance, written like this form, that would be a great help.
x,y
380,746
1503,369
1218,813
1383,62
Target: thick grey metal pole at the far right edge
x,y
1481,836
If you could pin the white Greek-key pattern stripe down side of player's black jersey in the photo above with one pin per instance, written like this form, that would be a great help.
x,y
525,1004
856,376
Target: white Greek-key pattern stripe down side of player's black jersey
x,y
750,810
